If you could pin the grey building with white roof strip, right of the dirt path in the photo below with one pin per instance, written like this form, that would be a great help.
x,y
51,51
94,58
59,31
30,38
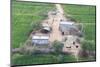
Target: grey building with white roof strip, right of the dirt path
x,y
68,27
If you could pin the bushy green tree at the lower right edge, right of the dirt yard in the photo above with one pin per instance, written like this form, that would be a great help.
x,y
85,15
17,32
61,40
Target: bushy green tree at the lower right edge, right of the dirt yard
x,y
88,48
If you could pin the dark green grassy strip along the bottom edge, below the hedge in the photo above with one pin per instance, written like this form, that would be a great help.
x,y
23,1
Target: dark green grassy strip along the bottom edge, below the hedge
x,y
18,59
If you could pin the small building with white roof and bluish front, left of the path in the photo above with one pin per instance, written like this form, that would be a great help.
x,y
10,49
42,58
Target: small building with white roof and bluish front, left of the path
x,y
40,39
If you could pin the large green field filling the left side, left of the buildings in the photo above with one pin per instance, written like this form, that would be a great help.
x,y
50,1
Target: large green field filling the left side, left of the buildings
x,y
26,16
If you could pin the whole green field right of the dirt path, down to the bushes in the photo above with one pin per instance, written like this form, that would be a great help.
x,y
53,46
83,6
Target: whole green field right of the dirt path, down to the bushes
x,y
85,15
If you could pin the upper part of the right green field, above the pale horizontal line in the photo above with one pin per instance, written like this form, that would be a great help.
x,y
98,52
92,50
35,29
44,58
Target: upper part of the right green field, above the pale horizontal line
x,y
83,14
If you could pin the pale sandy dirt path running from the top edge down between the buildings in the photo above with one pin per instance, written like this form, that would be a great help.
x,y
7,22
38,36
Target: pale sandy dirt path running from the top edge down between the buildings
x,y
56,34
